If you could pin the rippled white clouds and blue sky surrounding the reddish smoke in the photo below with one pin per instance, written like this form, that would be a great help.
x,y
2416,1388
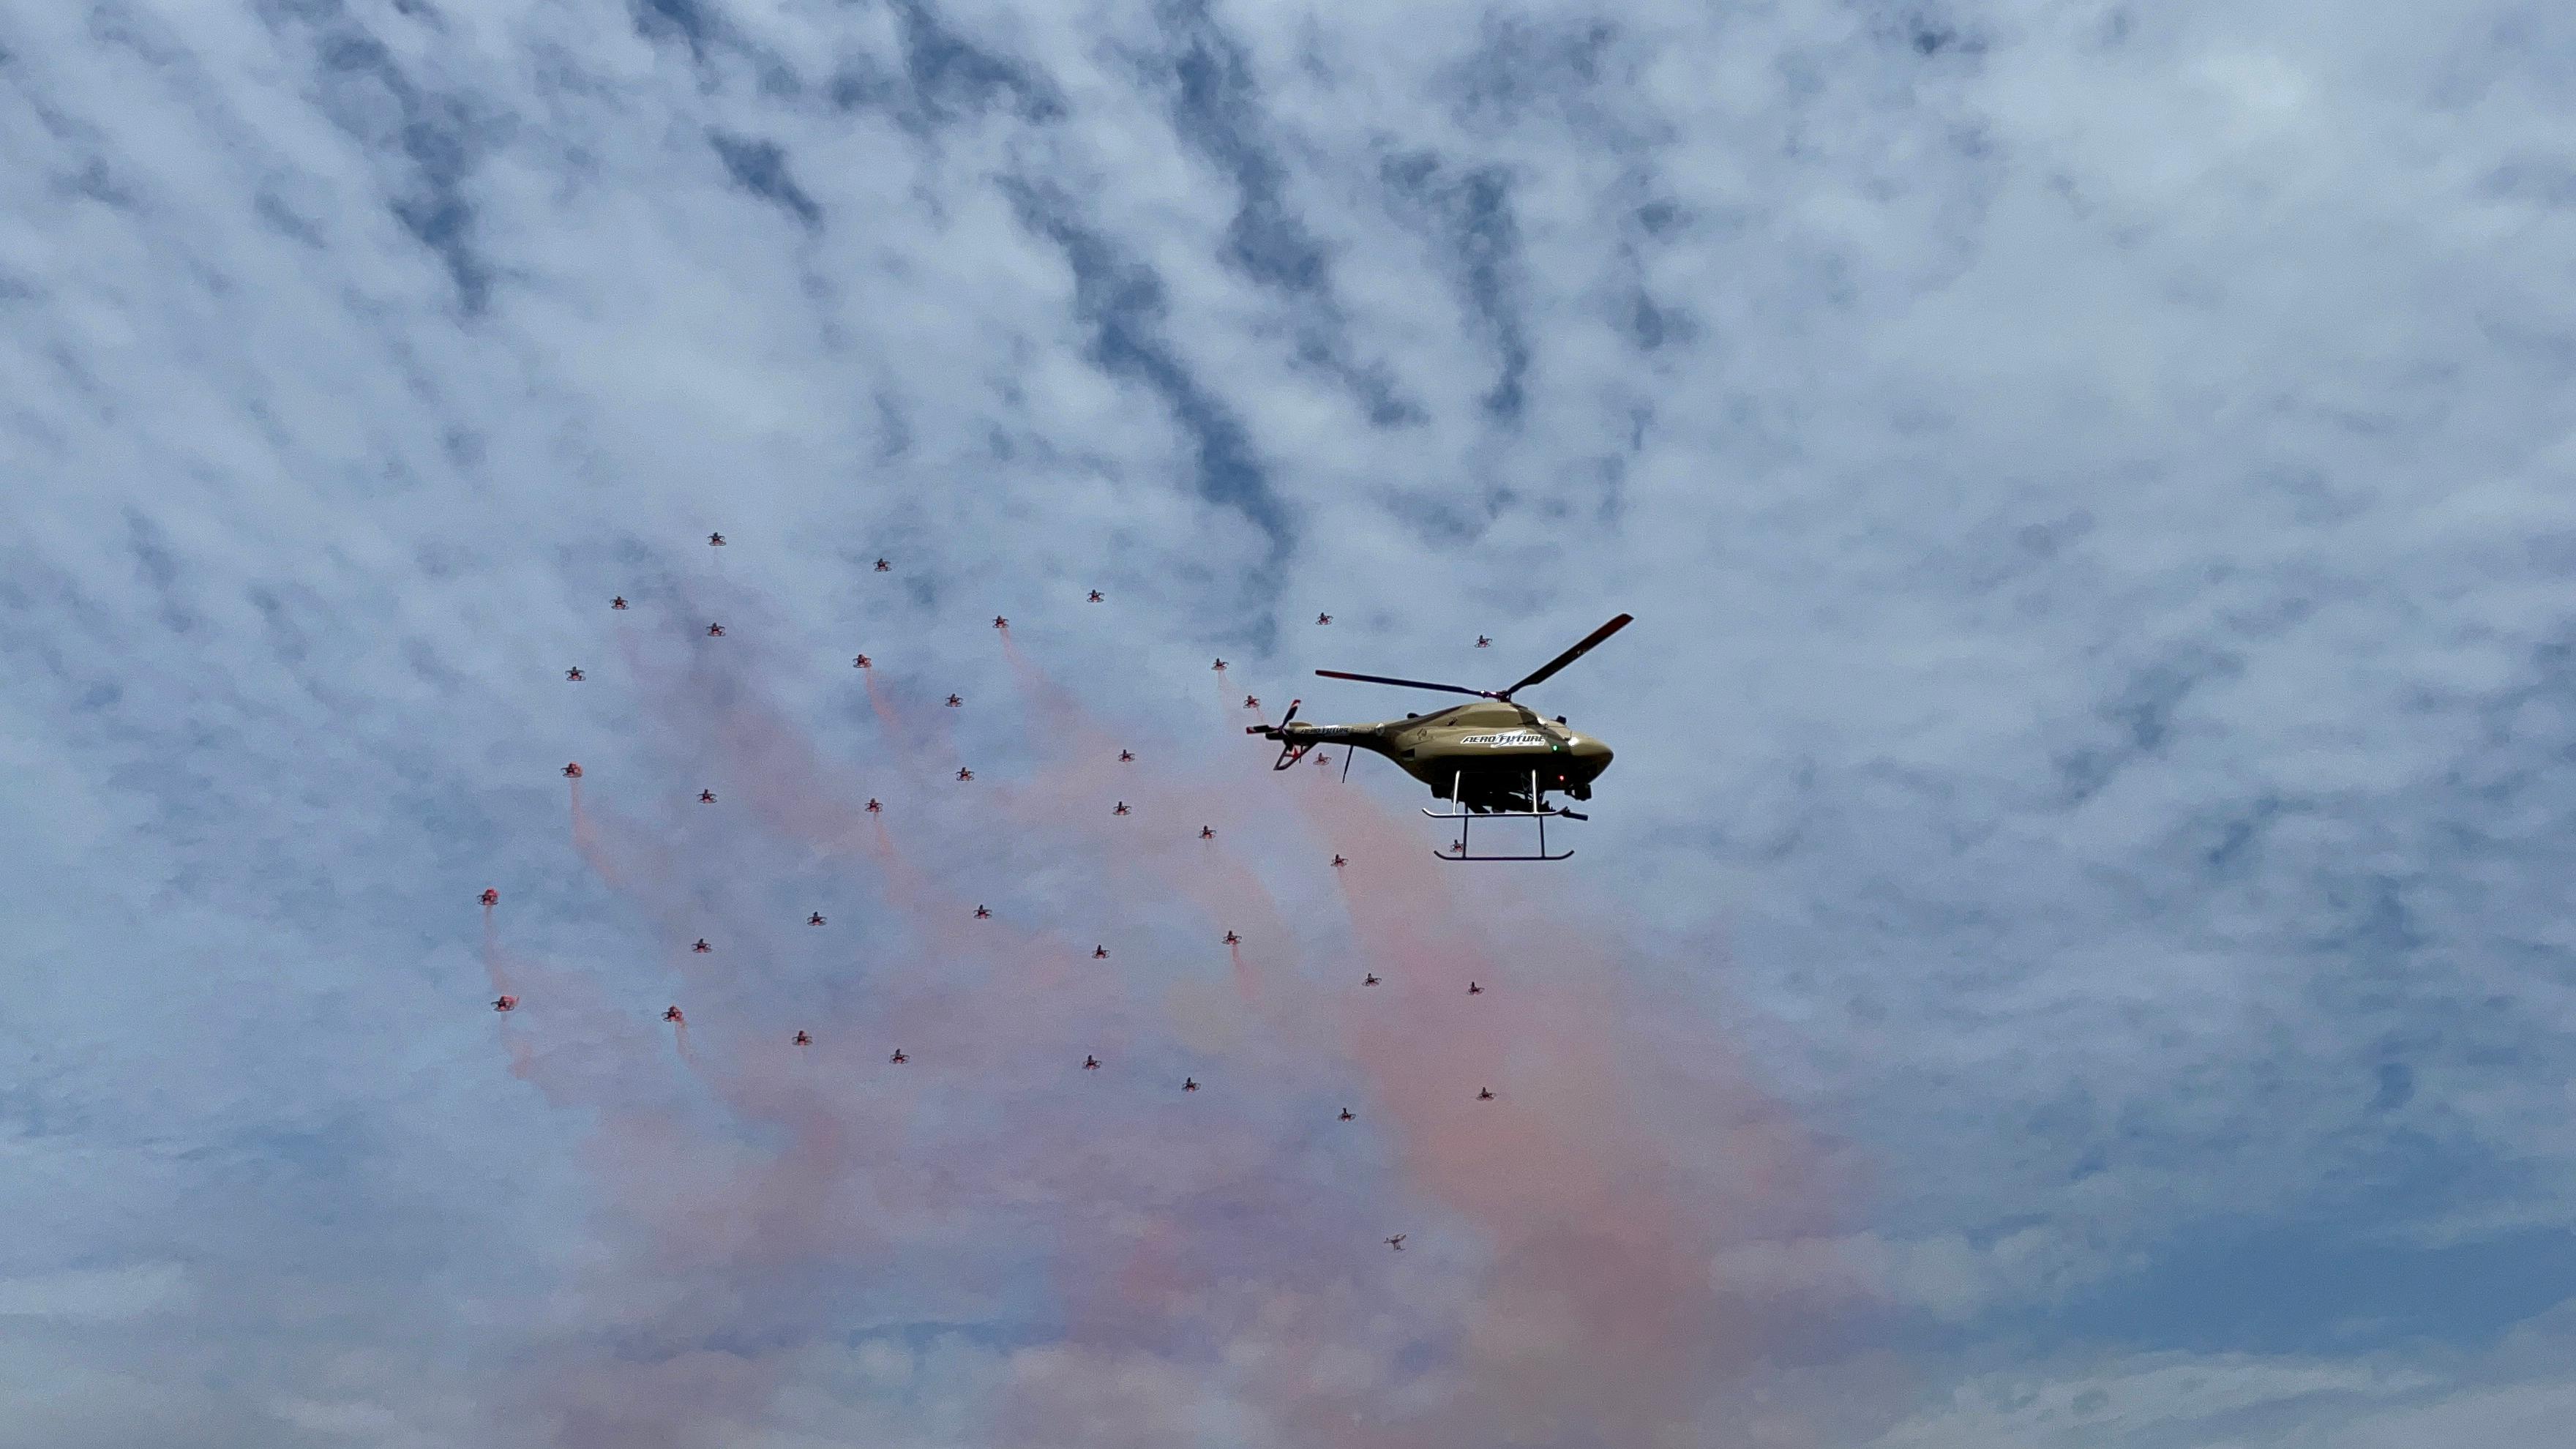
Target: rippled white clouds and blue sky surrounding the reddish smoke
x,y
2093,489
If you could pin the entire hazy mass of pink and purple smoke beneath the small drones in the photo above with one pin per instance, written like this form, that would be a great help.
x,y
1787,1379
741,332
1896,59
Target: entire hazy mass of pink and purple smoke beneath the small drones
x,y
1557,1288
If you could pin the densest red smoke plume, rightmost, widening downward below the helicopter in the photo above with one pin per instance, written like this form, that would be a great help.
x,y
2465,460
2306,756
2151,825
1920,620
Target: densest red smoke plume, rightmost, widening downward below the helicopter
x,y
1604,1321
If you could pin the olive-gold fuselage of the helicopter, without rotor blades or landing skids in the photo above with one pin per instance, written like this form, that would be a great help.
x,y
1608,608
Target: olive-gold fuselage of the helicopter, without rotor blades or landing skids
x,y
1477,754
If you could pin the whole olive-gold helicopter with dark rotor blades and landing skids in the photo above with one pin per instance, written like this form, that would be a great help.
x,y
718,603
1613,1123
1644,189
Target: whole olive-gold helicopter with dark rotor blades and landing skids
x,y
1490,759
